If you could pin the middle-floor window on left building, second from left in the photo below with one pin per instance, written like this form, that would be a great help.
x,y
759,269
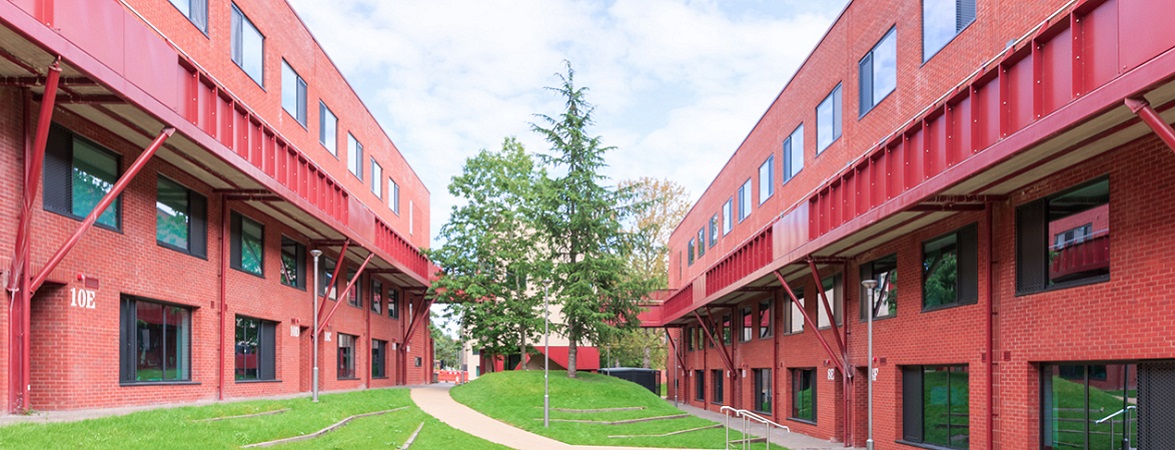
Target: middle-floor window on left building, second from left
x,y
180,218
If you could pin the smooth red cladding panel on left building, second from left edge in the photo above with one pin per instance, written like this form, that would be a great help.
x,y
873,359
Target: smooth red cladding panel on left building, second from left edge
x,y
96,28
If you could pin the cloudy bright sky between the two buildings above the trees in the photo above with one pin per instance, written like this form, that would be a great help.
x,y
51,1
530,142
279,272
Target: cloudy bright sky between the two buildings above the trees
x,y
679,85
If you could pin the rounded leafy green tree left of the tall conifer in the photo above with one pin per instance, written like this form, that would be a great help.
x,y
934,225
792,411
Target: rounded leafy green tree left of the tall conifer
x,y
489,252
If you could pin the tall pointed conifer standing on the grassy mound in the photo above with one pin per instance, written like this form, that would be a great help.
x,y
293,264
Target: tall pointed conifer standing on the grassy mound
x,y
582,221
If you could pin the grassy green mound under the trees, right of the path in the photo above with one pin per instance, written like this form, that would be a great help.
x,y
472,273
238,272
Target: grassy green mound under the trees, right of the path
x,y
516,398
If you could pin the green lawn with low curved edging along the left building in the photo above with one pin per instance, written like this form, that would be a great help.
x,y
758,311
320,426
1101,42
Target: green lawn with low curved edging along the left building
x,y
174,428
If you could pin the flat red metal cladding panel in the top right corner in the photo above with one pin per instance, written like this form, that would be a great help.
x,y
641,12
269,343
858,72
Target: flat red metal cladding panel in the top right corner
x,y
1145,31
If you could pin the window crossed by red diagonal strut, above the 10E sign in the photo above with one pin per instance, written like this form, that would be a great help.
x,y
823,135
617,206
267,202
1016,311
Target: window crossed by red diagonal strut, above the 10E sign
x,y
78,174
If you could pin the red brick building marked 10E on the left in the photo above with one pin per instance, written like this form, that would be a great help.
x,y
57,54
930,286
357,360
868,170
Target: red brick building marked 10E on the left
x,y
241,149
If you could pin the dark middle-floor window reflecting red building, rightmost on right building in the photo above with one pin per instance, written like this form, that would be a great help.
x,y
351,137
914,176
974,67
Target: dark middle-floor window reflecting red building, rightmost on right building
x,y
1050,254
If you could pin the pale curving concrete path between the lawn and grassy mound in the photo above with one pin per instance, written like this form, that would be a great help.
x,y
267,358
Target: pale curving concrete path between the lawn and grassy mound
x,y
437,402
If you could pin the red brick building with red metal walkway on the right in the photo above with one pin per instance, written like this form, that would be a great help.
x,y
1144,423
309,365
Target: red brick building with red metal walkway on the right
x,y
971,158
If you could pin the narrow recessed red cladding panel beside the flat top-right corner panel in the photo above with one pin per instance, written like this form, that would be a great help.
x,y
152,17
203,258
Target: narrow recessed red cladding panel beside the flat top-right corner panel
x,y
1099,38
